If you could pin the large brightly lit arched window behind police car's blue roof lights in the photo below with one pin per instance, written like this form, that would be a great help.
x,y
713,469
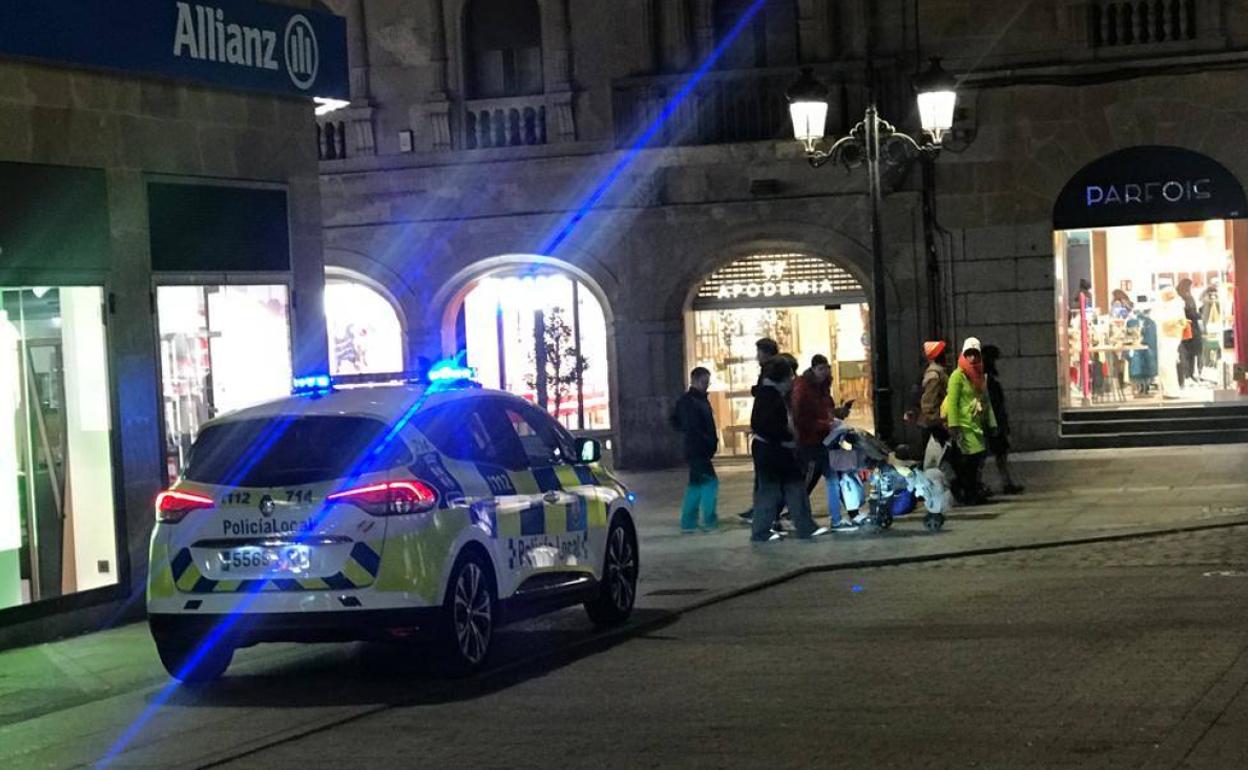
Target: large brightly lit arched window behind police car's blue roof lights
x,y
540,333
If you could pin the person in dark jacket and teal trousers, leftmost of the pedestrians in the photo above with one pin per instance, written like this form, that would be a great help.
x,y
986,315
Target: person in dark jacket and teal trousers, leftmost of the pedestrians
x,y
696,420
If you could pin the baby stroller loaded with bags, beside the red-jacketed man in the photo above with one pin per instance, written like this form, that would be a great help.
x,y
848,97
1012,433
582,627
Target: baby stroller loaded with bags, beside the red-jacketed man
x,y
895,487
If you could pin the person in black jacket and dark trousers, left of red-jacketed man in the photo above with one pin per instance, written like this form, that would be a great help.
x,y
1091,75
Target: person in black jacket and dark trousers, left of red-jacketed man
x,y
777,470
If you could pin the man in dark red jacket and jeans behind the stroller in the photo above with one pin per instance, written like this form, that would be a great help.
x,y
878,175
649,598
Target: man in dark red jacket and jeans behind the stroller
x,y
813,415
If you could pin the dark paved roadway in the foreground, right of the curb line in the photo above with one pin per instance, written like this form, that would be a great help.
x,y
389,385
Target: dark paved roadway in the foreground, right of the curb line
x,y
1120,656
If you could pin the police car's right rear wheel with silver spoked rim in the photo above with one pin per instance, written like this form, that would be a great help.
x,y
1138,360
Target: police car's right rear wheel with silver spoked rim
x,y
470,615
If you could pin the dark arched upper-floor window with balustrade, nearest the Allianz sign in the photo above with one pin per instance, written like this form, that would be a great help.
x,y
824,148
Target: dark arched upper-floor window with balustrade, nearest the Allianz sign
x,y
504,48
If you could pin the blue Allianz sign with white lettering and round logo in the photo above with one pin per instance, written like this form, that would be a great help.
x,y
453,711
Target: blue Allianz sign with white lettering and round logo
x,y
234,44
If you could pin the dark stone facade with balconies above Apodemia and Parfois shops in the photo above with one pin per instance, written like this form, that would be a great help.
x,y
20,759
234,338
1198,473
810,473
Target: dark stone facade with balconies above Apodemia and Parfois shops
x,y
466,152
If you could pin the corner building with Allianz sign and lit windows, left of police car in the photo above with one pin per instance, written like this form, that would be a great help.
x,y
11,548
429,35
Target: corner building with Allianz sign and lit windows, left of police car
x,y
160,269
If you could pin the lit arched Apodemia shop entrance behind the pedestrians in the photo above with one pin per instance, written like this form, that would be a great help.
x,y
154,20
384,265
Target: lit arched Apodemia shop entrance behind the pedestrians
x,y
804,303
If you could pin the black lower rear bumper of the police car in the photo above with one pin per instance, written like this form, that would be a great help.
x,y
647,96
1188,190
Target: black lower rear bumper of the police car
x,y
251,628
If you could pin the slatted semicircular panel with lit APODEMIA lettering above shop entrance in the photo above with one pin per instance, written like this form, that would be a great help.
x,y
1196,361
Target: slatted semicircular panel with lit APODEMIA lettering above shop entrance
x,y
778,280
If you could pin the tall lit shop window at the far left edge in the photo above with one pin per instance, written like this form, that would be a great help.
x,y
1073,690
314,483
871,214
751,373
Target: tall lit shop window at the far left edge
x,y
58,526
